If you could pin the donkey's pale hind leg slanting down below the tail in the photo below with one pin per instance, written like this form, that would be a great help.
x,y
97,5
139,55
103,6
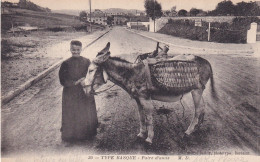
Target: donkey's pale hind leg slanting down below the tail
x,y
199,111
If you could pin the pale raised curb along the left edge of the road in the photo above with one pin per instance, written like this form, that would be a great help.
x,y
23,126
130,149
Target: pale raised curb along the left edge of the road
x,y
12,94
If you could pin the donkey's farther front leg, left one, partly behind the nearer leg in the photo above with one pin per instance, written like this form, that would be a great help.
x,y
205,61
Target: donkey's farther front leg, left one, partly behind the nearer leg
x,y
142,119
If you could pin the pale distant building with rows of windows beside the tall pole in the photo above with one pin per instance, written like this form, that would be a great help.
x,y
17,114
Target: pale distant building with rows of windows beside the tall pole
x,y
97,17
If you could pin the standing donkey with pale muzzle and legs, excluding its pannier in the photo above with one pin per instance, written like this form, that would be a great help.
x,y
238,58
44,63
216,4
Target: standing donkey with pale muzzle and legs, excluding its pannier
x,y
133,79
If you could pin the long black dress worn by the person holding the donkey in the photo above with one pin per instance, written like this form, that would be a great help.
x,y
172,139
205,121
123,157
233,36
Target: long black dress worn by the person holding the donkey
x,y
79,116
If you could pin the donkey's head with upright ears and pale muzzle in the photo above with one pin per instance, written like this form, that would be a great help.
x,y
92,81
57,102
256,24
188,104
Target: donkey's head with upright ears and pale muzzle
x,y
96,76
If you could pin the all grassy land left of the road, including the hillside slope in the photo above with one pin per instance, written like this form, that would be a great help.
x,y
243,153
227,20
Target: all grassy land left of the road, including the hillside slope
x,y
23,54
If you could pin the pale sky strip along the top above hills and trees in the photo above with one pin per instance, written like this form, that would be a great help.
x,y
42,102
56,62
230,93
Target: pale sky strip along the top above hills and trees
x,y
126,4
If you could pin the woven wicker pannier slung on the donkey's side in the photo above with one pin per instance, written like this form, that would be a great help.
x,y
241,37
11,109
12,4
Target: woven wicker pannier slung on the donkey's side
x,y
175,76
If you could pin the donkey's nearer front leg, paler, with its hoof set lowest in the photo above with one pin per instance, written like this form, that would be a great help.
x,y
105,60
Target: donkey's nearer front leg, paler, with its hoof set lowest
x,y
148,107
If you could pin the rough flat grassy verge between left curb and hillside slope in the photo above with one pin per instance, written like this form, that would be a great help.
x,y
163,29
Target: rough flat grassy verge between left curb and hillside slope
x,y
25,57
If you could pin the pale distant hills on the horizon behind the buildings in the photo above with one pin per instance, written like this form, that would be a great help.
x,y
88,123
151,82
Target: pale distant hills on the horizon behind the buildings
x,y
110,10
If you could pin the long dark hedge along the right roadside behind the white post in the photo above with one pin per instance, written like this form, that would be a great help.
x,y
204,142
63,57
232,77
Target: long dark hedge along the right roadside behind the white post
x,y
235,32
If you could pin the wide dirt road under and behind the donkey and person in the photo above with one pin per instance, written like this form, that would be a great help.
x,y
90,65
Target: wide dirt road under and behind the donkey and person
x,y
31,122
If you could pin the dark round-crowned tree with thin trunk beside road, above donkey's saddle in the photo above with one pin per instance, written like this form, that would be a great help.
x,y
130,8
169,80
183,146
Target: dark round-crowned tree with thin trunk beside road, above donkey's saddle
x,y
153,9
